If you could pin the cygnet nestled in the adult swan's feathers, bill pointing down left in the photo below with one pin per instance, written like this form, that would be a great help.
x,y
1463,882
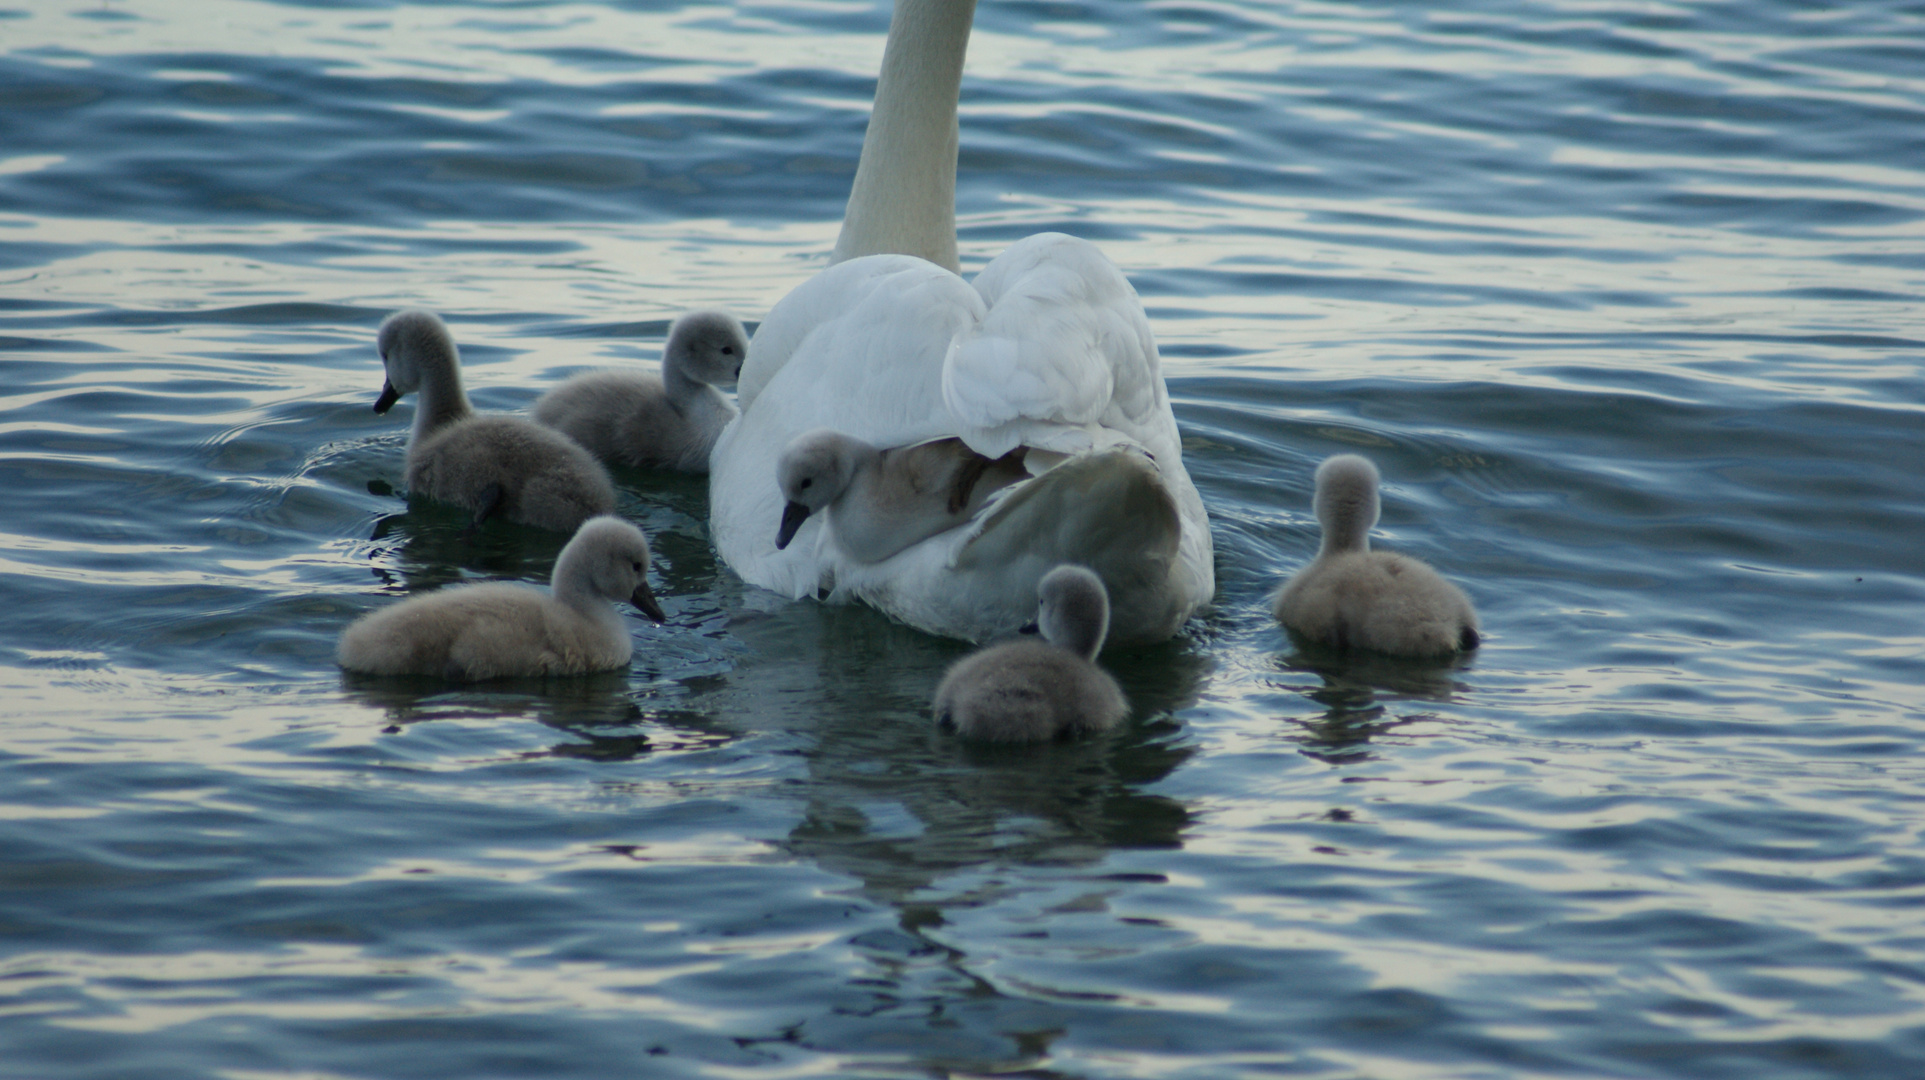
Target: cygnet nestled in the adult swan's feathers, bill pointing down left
x,y
883,501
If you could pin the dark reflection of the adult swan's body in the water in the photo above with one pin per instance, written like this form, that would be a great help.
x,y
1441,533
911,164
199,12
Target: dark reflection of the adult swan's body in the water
x,y
902,808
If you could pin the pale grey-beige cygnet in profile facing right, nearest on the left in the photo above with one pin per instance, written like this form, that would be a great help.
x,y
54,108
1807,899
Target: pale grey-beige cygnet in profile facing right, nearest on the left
x,y
496,629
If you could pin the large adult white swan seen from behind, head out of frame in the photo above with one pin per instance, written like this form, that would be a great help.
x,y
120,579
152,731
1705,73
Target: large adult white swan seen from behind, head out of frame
x,y
1048,349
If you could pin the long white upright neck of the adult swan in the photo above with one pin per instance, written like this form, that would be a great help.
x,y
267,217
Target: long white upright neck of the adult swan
x,y
904,199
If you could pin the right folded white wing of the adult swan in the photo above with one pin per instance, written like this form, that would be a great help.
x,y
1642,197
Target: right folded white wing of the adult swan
x,y
1065,344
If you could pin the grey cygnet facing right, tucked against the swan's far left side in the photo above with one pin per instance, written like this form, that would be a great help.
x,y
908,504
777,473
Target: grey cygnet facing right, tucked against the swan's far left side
x,y
669,421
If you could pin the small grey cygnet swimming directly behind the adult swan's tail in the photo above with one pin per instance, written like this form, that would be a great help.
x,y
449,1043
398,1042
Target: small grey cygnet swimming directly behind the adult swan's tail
x,y
1027,692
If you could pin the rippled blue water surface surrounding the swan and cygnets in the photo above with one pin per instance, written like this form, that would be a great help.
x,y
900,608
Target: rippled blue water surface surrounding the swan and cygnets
x,y
1624,299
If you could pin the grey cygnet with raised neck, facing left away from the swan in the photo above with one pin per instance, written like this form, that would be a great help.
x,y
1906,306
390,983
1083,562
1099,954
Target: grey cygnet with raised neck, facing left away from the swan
x,y
490,465
